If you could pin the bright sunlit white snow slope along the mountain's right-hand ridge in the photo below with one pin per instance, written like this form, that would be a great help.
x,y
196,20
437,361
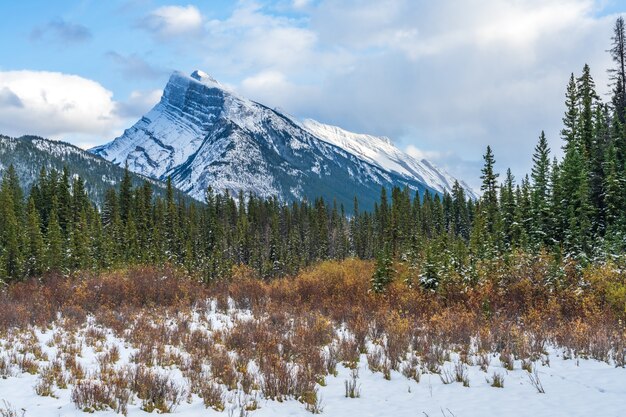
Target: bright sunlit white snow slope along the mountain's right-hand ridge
x,y
381,152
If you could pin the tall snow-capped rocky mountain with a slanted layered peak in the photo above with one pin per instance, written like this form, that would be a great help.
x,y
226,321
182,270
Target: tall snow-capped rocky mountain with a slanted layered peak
x,y
202,134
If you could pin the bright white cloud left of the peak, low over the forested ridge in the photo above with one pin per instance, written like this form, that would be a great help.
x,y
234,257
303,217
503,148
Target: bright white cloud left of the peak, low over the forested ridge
x,y
62,106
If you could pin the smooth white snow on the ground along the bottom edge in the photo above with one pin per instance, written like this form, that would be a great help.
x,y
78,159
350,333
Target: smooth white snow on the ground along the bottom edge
x,y
573,386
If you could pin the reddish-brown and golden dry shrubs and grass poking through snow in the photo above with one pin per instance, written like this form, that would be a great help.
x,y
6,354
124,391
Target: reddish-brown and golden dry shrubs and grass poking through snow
x,y
284,337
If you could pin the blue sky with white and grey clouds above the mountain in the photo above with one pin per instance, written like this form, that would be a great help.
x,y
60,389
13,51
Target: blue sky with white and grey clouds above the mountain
x,y
442,79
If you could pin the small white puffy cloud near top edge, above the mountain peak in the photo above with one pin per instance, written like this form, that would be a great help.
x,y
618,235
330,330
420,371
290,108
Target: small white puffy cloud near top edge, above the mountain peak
x,y
173,20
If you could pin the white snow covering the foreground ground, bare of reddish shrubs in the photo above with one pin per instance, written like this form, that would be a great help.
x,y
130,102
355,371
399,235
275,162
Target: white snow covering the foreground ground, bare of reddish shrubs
x,y
572,386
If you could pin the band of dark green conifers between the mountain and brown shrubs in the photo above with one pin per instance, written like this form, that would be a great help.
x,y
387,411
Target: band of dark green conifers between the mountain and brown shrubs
x,y
573,209
